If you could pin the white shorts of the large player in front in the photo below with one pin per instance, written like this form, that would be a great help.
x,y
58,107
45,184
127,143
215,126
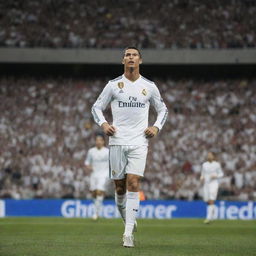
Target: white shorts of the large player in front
x,y
127,160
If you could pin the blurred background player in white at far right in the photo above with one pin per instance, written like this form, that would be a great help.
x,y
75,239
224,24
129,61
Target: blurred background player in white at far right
x,y
211,172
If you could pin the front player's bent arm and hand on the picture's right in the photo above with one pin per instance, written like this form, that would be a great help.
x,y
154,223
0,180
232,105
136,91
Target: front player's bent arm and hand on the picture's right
x,y
162,113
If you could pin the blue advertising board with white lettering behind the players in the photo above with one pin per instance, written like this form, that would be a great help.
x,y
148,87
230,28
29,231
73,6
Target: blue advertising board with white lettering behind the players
x,y
159,209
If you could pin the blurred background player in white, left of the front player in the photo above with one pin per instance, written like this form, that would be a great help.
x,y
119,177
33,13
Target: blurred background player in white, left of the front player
x,y
97,160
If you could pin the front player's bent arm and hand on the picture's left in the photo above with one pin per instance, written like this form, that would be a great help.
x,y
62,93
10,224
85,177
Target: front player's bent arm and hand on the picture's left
x,y
99,106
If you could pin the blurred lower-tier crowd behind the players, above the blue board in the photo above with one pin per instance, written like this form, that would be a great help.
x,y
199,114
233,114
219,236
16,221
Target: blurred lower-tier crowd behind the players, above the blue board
x,y
46,129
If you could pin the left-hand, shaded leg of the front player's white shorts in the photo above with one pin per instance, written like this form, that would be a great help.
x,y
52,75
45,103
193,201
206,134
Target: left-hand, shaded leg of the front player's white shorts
x,y
117,162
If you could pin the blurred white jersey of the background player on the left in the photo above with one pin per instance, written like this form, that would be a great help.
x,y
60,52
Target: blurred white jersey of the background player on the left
x,y
99,160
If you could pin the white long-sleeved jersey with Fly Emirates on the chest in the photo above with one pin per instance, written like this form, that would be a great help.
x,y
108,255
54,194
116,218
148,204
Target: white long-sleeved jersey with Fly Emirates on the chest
x,y
130,103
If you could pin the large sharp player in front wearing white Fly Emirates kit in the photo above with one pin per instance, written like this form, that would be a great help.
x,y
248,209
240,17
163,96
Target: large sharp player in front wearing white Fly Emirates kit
x,y
130,96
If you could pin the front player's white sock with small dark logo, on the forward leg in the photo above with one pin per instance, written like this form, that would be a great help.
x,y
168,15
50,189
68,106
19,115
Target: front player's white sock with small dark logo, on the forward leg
x,y
132,207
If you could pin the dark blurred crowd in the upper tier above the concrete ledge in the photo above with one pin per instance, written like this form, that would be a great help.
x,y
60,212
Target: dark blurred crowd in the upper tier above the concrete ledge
x,y
116,23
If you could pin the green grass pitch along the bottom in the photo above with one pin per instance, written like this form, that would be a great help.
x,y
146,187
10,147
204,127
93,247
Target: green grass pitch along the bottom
x,y
84,237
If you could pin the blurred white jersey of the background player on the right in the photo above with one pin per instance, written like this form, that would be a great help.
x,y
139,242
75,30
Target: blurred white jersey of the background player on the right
x,y
209,169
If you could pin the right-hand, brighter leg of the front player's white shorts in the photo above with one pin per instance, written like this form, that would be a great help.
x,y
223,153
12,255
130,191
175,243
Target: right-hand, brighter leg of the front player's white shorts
x,y
136,158
